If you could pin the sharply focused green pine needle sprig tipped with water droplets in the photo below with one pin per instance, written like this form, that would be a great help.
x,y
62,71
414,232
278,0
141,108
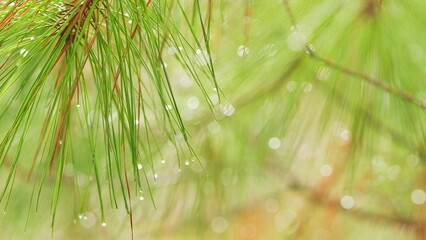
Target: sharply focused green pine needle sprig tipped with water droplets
x,y
101,68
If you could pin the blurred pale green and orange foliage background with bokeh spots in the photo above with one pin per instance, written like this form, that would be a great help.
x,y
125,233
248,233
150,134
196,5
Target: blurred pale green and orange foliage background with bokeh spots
x,y
296,148
